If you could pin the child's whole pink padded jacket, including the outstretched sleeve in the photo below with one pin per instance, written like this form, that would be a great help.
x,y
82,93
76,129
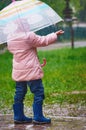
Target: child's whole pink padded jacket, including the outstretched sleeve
x,y
26,65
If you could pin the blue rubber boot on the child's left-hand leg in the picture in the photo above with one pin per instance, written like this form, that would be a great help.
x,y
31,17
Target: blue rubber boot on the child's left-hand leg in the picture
x,y
19,116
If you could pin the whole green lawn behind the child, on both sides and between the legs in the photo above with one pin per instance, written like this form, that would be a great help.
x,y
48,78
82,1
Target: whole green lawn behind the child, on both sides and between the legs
x,y
65,72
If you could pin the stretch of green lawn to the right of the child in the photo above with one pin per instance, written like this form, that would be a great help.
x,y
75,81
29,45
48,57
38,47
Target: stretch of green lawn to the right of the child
x,y
65,72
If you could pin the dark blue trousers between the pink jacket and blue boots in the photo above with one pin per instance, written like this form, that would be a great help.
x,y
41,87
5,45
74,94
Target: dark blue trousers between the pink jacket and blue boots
x,y
36,87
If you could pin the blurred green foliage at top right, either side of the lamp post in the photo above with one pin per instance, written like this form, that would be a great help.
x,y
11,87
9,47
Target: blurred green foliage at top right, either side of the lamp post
x,y
78,6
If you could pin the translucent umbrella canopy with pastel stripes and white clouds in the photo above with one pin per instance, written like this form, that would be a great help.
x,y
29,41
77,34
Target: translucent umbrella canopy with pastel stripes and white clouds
x,y
31,15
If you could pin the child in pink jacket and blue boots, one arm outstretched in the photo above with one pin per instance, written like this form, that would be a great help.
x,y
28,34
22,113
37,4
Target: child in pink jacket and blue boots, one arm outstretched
x,y
27,71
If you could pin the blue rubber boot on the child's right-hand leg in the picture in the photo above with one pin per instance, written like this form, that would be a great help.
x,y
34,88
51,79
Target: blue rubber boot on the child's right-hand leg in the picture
x,y
38,115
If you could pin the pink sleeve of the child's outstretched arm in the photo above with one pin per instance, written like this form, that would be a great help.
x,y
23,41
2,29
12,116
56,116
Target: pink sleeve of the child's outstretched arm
x,y
41,41
